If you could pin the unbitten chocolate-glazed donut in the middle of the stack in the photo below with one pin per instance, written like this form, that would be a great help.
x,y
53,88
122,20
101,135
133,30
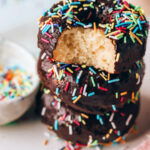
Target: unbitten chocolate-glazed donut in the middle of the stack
x,y
88,89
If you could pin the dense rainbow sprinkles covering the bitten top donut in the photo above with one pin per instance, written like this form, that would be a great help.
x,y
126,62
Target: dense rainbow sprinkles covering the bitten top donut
x,y
123,18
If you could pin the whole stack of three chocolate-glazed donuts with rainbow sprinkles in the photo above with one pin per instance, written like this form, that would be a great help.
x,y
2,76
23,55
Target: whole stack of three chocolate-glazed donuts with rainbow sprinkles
x,y
91,66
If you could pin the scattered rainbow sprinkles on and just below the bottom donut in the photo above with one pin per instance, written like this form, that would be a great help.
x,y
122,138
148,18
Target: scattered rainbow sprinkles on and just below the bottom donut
x,y
78,120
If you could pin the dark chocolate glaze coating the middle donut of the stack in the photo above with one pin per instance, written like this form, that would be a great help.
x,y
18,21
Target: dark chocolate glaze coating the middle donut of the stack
x,y
102,101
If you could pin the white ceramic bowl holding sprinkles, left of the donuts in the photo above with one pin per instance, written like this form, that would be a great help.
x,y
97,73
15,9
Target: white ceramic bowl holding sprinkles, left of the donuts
x,y
13,54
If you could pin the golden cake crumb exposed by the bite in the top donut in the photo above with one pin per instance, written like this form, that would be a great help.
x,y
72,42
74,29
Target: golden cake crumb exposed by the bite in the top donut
x,y
84,46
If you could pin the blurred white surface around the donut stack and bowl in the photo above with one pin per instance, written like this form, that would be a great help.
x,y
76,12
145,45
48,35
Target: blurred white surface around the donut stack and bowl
x,y
21,27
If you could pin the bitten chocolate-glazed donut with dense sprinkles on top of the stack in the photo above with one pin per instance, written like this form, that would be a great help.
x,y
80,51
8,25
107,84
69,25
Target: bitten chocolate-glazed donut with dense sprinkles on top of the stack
x,y
109,35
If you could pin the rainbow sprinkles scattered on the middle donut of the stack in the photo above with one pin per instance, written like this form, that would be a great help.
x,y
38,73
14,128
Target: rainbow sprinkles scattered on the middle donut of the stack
x,y
93,86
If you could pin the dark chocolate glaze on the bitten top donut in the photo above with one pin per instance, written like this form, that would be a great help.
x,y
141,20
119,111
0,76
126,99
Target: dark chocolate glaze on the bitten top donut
x,y
129,53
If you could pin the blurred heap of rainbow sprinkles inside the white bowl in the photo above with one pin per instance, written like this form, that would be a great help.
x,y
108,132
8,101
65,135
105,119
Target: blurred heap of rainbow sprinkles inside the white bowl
x,y
14,82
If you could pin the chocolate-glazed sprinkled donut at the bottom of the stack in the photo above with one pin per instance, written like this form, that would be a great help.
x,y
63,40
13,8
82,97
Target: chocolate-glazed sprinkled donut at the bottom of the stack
x,y
78,127
